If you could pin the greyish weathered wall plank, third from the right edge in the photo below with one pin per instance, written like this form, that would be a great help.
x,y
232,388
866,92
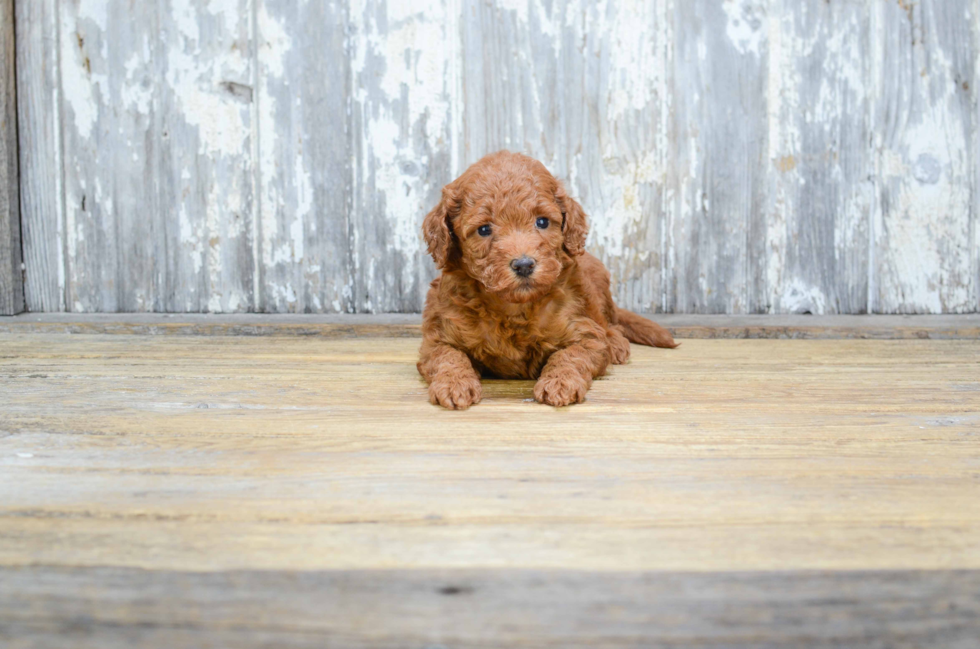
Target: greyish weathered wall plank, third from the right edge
x,y
716,222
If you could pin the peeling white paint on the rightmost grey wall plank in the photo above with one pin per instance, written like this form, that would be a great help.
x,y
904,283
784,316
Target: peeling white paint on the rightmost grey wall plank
x,y
922,242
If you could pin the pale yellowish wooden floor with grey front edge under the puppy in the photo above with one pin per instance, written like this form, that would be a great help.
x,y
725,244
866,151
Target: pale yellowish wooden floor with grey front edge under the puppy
x,y
171,491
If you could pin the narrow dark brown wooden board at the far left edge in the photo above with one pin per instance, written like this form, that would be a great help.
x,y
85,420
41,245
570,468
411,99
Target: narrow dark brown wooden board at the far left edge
x,y
11,275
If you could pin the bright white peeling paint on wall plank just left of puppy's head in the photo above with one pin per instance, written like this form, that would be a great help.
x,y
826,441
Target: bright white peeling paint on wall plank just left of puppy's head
x,y
406,118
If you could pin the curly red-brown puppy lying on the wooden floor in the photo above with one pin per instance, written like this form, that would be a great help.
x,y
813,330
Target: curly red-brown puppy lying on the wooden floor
x,y
519,298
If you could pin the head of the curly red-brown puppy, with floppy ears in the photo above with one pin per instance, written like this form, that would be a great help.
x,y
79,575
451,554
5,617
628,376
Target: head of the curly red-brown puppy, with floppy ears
x,y
508,223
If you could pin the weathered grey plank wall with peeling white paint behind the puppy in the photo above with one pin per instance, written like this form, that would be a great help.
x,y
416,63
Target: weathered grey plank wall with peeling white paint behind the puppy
x,y
740,156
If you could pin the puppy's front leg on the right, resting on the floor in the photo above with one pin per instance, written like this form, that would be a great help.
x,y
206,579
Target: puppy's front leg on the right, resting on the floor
x,y
568,374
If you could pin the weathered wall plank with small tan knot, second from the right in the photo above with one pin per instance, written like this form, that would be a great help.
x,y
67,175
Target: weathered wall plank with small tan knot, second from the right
x,y
822,190
